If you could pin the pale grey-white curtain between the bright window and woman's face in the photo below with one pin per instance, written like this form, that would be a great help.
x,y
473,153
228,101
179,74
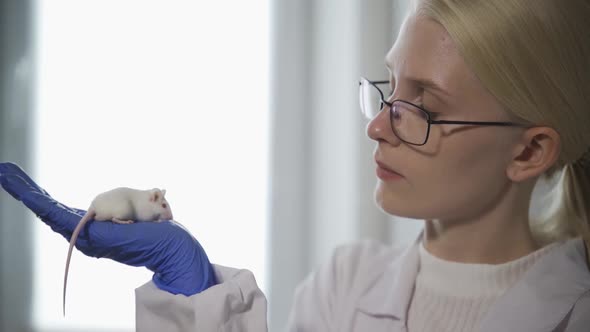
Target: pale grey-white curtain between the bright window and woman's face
x,y
322,168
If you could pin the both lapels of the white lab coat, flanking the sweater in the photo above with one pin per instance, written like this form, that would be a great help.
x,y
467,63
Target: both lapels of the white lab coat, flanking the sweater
x,y
538,302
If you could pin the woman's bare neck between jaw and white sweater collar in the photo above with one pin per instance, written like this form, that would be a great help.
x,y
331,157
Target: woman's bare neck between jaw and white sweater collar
x,y
499,235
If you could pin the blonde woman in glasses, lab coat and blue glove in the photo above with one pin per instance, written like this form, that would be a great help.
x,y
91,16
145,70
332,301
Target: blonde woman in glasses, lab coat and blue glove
x,y
486,98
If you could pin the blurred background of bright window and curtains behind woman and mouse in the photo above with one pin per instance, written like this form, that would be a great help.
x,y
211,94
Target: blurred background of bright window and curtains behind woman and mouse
x,y
245,111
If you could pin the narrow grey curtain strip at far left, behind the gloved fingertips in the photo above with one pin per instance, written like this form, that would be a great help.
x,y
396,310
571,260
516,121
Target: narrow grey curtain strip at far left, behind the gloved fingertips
x,y
16,108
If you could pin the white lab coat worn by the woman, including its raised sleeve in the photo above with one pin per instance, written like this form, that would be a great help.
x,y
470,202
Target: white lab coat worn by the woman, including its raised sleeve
x,y
368,287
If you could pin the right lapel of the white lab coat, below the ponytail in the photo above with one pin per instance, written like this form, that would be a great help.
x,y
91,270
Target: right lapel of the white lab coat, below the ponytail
x,y
545,294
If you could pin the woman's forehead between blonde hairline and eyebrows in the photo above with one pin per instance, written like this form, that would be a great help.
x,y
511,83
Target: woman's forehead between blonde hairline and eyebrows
x,y
424,50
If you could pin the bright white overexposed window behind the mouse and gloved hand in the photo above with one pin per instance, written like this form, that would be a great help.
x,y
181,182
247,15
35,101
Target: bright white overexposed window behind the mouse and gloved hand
x,y
160,93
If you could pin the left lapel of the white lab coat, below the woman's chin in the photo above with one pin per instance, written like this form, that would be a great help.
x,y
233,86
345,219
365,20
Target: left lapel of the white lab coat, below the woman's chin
x,y
391,293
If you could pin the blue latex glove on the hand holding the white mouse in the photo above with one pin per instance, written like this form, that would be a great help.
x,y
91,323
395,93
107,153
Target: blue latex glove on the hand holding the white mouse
x,y
179,263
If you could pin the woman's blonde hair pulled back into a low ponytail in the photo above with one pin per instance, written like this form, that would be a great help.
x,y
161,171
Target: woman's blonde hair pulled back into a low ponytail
x,y
534,57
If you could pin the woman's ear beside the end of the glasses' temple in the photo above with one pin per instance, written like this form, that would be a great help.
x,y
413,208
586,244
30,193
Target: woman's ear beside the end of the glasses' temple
x,y
537,151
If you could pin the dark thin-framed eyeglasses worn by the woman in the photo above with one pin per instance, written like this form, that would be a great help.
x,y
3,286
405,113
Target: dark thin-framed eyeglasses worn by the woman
x,y
409,122
